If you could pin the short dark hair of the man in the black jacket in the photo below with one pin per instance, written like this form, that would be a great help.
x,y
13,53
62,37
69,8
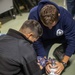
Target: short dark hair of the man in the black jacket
x,y
34,26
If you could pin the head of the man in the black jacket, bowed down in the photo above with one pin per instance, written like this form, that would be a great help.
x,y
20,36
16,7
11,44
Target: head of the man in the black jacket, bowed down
x,y
31,29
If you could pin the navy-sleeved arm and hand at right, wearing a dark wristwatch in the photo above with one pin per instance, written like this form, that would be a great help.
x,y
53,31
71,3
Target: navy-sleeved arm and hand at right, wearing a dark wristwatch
x,y
69,31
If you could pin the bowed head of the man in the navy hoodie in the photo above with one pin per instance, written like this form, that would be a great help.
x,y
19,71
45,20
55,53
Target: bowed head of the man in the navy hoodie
x,y
49,15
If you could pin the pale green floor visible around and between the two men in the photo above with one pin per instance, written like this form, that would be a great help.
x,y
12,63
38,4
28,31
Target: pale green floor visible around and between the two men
x,y
16,23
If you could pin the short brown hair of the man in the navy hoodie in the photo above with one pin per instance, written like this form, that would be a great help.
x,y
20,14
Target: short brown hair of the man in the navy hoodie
x,y
49,10
